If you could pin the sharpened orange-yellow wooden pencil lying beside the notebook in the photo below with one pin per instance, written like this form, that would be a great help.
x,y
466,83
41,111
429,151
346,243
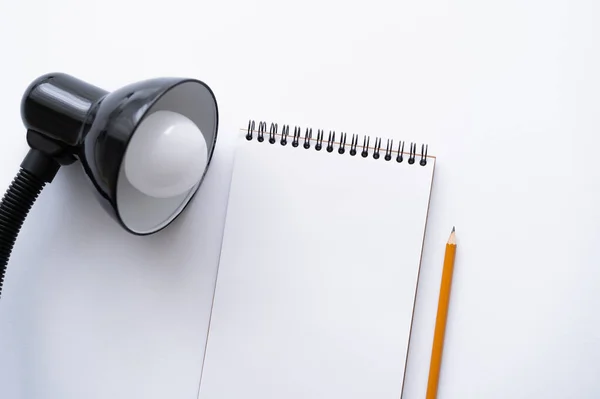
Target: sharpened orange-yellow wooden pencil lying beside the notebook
x,y
442,315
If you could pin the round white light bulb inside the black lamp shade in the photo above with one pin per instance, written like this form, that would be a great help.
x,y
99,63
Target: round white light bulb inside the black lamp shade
x,y
166,156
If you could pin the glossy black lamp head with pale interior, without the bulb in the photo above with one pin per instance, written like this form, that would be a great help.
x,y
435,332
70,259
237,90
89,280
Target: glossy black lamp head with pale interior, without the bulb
x,y
95,127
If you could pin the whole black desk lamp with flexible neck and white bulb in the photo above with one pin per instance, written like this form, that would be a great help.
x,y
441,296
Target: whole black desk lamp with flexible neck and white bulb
x,y
145,147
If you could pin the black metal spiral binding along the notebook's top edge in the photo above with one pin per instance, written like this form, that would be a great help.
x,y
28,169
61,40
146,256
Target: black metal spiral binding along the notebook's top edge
x,y
353,146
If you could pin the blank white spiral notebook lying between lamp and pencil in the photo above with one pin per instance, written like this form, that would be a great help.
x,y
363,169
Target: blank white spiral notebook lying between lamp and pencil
x,y
319,266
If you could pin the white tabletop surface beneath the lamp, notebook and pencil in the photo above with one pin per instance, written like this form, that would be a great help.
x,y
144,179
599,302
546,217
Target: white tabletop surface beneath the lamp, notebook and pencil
x,y
505,93
